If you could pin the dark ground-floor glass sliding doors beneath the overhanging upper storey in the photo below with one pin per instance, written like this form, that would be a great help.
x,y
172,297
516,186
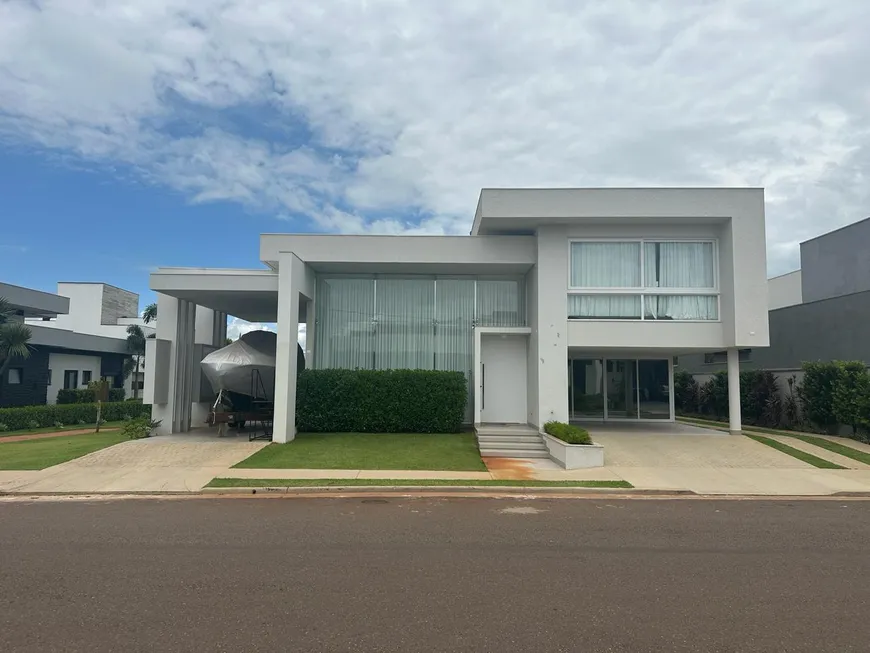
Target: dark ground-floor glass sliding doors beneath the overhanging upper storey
x,y
613,388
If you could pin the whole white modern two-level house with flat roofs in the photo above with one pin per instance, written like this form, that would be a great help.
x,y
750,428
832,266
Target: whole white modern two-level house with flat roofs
x,y
562,304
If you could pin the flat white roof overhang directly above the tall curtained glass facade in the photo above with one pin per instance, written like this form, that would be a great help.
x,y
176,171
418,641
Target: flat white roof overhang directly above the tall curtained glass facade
x,y
340,254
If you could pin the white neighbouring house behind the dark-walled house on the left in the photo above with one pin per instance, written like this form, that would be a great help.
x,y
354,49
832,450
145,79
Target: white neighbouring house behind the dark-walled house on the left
x,y
103,310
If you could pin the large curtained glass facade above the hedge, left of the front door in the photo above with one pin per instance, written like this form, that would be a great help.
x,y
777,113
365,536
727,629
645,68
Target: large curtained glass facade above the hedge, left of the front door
x,y
410,323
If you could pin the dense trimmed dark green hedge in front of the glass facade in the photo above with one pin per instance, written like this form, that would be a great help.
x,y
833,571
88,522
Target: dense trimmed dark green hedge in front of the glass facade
x,y
380,401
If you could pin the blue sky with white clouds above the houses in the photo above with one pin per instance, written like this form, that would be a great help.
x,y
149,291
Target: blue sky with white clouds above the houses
x,y
143,133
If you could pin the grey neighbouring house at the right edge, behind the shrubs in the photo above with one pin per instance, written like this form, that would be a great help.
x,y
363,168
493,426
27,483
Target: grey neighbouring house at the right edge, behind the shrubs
x,y
817,313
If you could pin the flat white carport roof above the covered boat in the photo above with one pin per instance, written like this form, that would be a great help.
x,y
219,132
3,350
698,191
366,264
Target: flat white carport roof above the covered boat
x,y
247,294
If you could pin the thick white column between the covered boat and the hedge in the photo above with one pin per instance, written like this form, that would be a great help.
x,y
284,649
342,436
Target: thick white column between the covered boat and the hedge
x,y
289,268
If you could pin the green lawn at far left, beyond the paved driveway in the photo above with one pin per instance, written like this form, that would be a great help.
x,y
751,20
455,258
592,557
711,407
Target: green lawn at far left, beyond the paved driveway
x,y
46,452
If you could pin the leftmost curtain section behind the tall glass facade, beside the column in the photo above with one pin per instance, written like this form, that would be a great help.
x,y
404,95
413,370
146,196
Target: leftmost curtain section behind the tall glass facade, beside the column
x,y
345,319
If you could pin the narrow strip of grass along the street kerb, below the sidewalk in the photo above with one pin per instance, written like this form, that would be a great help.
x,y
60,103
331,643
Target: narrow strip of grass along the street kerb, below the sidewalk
x,y
346,482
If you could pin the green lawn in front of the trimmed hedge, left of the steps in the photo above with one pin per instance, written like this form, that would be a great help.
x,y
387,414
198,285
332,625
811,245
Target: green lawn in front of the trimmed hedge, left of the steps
x,y
438,451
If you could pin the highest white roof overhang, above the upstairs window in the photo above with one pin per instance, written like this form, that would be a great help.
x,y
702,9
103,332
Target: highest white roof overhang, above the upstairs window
x,y
524,210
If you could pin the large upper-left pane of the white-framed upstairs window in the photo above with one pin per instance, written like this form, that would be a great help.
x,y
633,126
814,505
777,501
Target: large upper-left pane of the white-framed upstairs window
x,y
605,265
